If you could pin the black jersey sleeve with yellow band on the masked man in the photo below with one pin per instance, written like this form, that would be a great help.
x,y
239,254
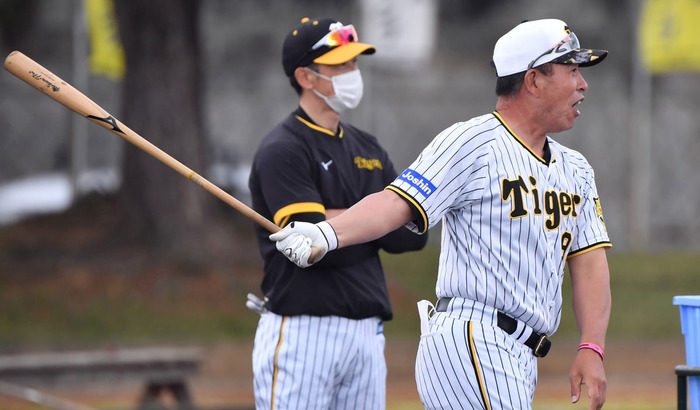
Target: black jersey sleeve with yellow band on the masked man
x,y
286,183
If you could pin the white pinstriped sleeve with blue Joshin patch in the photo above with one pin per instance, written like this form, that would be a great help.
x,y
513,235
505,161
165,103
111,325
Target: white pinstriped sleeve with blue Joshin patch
x,y
445,175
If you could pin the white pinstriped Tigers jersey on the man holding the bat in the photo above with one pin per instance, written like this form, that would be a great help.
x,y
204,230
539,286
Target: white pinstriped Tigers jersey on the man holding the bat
x,y
510,218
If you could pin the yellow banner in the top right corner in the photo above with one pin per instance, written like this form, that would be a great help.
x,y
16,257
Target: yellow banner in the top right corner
x,y
670,35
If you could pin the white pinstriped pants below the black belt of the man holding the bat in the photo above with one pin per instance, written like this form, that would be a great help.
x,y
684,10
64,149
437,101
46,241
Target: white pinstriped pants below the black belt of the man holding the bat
x,y
464,364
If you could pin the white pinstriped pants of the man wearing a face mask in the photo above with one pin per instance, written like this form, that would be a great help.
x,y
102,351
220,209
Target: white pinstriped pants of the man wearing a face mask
x,y
311,362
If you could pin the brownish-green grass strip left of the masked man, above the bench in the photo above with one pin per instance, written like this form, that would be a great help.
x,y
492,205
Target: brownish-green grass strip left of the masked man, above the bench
x,y
103,309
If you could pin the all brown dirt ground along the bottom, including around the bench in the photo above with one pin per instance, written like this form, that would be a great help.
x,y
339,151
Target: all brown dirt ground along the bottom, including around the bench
x,y
640,376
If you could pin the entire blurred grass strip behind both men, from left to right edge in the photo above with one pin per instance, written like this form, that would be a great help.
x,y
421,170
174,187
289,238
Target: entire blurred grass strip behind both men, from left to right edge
x,y
75,308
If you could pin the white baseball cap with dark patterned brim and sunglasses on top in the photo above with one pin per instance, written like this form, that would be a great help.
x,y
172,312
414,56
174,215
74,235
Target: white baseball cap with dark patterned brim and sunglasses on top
x,y
533,43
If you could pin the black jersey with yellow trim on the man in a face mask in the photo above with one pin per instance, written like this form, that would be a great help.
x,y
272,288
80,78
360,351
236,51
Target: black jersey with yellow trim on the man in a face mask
x,y
299,171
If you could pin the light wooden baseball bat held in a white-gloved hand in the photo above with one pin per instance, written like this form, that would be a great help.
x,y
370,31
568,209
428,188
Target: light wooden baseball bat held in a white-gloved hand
x,y
45,81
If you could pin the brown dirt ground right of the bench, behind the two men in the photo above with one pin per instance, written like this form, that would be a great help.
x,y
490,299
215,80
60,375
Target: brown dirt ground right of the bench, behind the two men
x,y
638,372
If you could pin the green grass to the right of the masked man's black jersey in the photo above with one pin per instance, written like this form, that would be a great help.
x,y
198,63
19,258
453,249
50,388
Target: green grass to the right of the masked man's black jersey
x,y
642,286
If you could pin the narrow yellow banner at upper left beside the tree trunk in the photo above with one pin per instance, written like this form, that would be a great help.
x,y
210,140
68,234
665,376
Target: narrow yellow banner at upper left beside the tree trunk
x,y
106,52
